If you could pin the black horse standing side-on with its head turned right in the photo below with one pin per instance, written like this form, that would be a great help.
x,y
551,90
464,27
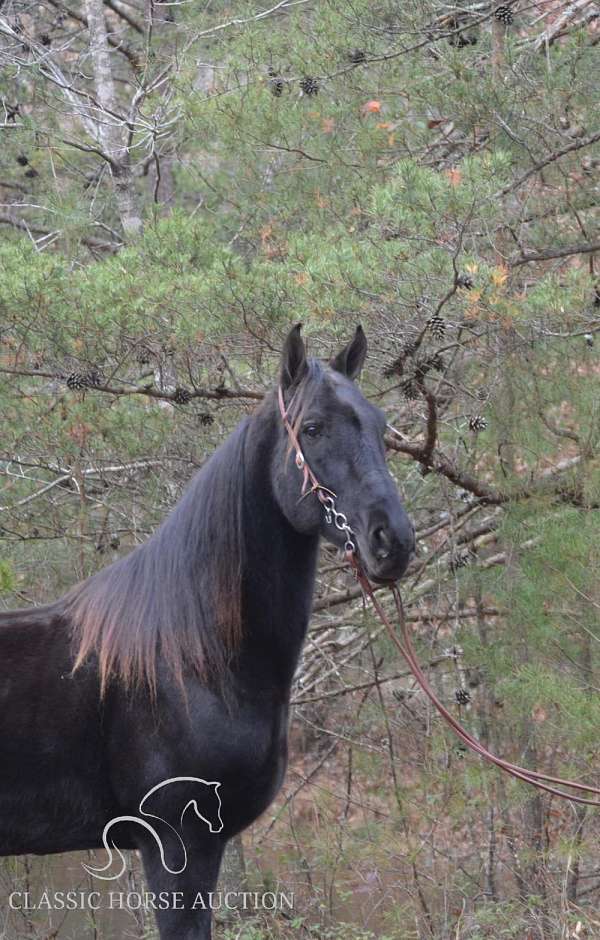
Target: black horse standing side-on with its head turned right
x,y
177,661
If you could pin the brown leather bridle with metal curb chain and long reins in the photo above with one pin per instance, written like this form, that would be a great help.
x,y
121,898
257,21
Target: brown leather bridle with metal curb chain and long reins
x,y
403,642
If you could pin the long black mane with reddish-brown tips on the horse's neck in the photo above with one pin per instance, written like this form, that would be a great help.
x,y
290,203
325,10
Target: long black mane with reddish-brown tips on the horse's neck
x,y
176,599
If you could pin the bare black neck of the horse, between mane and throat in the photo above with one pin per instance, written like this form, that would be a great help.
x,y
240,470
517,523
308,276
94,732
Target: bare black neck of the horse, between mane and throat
x,y
279,571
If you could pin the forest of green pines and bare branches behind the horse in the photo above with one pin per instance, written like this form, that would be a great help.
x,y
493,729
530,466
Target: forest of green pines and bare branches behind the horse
x,y
181,182
